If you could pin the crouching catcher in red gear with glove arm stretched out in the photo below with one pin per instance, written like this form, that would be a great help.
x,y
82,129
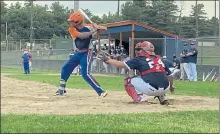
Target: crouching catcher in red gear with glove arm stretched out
x,y
153,79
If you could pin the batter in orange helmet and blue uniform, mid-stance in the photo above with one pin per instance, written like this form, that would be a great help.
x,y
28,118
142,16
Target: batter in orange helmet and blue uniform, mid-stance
x,y
82,35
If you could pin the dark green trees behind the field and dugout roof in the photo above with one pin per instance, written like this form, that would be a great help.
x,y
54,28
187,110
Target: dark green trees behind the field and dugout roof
x,y
49,22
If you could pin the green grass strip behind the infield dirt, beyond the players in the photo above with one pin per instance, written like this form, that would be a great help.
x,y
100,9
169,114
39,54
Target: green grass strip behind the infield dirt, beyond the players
x,y
113,83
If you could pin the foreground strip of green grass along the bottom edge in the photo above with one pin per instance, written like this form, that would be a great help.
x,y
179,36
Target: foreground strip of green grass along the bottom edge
x,y
168,122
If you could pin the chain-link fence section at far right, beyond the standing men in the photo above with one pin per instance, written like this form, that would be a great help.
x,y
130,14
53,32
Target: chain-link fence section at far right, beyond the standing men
x,y
208,58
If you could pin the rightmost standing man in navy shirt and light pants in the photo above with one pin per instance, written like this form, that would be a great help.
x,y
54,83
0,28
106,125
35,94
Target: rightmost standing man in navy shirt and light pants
x,y
192,58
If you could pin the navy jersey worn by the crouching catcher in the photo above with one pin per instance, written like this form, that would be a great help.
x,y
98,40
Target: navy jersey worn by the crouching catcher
x,y
155,79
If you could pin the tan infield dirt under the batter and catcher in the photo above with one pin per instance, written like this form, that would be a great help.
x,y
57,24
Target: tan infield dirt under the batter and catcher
x,y
29,97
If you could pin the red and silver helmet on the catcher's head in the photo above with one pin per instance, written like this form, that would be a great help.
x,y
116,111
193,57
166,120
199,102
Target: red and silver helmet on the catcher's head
x,y
144,48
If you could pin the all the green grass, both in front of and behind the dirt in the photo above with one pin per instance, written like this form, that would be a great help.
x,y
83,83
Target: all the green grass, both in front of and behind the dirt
x,y
167,122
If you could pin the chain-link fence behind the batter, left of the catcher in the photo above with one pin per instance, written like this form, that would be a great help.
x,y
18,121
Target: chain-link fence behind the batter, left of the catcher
x,y
49,55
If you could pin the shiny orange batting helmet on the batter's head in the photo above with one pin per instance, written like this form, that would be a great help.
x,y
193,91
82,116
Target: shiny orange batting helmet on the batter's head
x,y
76,18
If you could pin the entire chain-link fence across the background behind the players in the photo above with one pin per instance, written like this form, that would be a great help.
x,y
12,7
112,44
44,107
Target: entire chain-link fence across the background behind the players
x,y
52,54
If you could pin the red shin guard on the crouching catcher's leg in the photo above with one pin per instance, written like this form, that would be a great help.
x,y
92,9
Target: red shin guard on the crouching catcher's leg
x,y
131,90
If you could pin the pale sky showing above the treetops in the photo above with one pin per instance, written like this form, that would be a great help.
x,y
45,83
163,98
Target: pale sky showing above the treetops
x,y
103,7
